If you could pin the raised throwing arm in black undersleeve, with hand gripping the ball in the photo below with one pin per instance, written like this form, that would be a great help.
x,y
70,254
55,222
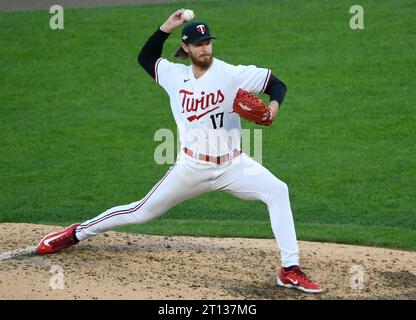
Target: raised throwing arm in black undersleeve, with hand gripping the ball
x,y
152,49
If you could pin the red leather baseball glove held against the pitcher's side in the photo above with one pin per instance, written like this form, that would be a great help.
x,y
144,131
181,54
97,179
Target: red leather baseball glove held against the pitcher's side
x,y
252,108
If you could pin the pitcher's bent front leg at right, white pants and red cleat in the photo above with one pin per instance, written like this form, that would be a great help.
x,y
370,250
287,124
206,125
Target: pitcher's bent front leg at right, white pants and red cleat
x,y
247,179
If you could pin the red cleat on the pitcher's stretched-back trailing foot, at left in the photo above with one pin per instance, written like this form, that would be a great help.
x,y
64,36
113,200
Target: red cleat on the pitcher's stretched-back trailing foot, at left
x,y
57,241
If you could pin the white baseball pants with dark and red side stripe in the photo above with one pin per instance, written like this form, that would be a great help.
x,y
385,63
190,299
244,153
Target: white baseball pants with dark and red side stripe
x,y
242,176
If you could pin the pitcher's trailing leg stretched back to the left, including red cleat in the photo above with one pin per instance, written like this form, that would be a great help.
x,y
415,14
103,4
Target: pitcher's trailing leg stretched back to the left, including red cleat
x,y
182,181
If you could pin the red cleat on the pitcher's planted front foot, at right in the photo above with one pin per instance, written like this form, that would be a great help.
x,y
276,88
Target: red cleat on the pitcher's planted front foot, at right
x,y
295,278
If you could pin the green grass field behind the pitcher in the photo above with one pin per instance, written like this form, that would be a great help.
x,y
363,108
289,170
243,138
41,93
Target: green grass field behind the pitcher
x,y
78,116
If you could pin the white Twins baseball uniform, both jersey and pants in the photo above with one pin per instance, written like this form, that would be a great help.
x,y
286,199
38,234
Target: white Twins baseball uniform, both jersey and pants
x,y
203,112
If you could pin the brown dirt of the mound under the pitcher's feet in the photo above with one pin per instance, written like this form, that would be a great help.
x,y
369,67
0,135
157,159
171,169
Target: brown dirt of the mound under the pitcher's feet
x,y
134,266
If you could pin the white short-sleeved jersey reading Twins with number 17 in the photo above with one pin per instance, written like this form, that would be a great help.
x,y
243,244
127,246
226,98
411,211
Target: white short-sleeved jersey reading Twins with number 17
x,y
203,107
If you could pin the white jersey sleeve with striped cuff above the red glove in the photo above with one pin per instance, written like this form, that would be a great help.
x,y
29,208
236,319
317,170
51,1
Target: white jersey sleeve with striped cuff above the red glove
x,y
252,78
